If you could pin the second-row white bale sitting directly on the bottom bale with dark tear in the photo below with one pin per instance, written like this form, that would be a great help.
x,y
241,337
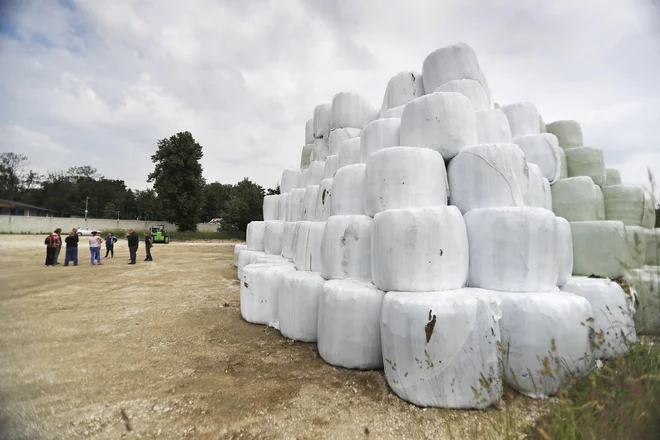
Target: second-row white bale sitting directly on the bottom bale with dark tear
x,y
419,250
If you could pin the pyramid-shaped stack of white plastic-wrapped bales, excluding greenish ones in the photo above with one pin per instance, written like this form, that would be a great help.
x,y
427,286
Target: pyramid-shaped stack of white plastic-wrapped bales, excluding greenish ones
x,y
433,252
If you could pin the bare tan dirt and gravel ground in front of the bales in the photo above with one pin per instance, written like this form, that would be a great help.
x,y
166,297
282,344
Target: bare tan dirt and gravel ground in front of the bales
x,y
159,350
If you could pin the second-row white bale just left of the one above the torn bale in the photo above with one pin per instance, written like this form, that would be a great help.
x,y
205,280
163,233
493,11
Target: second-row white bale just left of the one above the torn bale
x,y
346,247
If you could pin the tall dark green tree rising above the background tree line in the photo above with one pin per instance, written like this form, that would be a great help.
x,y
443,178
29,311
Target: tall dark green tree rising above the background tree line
x,y
178,180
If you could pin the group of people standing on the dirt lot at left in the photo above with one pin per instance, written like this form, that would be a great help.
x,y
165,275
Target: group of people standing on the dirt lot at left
x,y
54,244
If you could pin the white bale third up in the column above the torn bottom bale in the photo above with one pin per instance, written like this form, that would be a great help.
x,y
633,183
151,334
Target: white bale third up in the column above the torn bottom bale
x,y
404,177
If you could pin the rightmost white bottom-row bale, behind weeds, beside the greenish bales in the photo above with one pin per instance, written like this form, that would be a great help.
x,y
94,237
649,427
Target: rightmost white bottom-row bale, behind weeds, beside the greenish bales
x,y
613,312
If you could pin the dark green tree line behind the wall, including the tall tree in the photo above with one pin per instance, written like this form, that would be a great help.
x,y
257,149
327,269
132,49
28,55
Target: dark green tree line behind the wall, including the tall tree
x,y
179,195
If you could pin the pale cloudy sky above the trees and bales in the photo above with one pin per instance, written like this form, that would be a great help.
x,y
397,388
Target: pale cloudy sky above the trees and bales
x,y
98,82
